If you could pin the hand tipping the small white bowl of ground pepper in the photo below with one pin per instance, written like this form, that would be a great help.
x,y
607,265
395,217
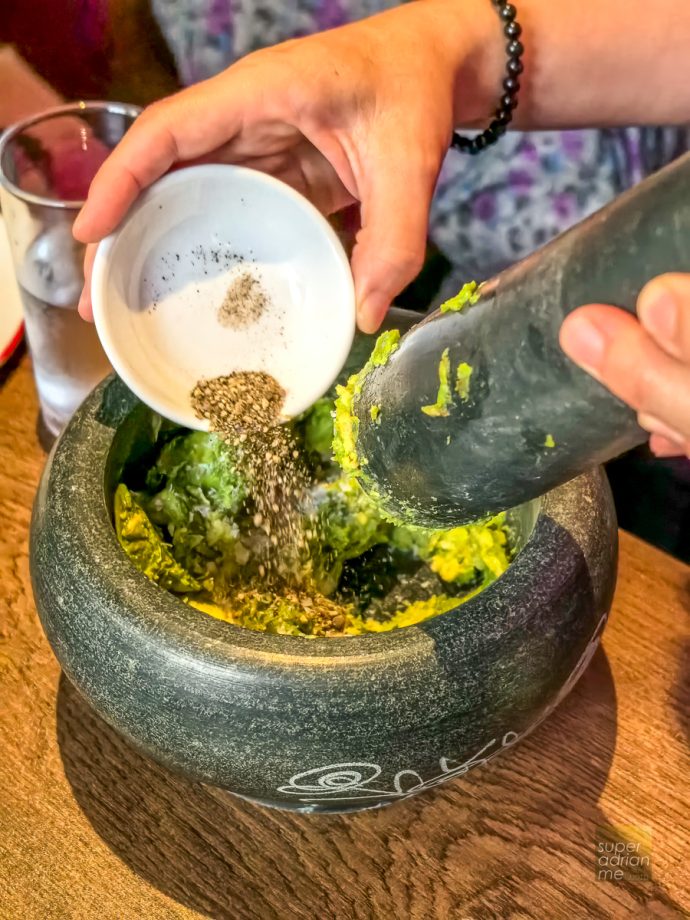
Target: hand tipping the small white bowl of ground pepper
x,y
358,114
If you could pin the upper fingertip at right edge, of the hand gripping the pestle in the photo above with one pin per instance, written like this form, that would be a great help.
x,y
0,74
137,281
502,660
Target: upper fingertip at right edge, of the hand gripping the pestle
x,y
663,308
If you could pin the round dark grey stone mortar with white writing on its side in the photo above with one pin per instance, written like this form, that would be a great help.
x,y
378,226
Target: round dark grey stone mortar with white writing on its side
x,y
310,724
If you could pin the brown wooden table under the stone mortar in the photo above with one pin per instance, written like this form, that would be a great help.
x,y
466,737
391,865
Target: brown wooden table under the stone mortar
x,y
90,829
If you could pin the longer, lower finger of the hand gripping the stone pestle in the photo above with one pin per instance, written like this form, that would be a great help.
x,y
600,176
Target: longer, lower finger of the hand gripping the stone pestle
x,y
614,347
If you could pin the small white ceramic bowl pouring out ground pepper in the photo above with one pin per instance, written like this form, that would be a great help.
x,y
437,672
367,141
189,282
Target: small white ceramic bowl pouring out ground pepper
x,y
159,280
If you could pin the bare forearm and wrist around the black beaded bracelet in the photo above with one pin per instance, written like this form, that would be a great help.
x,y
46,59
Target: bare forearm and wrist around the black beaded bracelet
x,y
587,62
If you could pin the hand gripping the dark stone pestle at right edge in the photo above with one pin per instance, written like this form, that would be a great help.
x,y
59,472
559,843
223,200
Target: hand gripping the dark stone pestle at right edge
x,y
645,361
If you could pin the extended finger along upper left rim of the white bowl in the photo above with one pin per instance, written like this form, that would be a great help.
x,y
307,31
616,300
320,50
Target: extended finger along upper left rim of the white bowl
x,y
181,128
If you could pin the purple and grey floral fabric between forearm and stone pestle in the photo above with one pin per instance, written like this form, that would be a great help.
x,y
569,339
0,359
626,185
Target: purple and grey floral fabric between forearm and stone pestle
x,y
493,209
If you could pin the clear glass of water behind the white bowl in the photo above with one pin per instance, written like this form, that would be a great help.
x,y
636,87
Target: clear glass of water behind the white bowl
x,y
46,166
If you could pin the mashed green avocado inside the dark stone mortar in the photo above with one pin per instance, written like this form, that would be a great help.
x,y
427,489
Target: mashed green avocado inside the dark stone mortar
x,y
186,520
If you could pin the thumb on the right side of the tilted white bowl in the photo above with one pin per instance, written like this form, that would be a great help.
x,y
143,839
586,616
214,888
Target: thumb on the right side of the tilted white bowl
x,y
390,247
